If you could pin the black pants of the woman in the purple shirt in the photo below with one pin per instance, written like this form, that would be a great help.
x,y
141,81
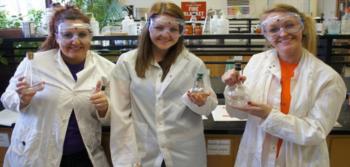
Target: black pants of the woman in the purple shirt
x,y
80,159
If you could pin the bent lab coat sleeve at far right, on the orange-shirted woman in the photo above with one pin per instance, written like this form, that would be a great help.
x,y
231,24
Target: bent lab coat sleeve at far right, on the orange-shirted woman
x,y
316,125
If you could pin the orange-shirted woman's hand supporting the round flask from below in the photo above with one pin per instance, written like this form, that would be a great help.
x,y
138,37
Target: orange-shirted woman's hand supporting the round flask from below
x,y
256,109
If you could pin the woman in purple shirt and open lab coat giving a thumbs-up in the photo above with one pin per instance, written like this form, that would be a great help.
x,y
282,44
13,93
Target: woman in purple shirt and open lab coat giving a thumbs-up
x,y
63,107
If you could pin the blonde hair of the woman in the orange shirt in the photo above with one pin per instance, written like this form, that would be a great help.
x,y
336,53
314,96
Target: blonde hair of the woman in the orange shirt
x,y
309,39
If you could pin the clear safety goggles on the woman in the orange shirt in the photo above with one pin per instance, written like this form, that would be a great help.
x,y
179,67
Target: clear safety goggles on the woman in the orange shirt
x,y
273,26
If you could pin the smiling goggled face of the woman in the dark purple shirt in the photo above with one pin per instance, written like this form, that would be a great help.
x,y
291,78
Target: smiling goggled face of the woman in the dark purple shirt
x,y
73,38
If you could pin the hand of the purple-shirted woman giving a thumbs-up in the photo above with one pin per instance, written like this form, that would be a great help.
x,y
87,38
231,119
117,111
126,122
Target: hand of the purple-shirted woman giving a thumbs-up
x,y
99,99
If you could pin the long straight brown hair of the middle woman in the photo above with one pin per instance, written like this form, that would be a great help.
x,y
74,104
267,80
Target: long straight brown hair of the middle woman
x,y
144,50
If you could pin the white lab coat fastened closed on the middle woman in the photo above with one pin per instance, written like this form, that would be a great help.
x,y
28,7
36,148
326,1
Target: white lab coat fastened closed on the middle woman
x,y
167,125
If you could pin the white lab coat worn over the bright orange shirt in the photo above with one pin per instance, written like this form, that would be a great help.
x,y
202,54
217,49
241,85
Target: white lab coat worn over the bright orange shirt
x,y
317,95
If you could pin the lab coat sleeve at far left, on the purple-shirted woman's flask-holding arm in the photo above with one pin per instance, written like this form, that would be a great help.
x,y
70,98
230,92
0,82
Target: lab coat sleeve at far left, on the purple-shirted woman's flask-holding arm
x,y
10,98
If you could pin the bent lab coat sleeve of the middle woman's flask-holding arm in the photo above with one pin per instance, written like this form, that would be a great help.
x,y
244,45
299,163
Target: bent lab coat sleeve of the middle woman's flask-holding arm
x,y
211,102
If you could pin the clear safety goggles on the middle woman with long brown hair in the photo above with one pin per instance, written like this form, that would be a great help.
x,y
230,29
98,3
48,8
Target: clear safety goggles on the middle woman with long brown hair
x,y
172,27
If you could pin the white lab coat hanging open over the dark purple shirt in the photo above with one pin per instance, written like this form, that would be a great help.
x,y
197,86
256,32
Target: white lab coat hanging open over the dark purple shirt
x,y
38,137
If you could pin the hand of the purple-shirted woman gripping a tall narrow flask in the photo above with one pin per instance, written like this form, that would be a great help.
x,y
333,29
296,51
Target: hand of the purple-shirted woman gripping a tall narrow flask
x,y
25,92
